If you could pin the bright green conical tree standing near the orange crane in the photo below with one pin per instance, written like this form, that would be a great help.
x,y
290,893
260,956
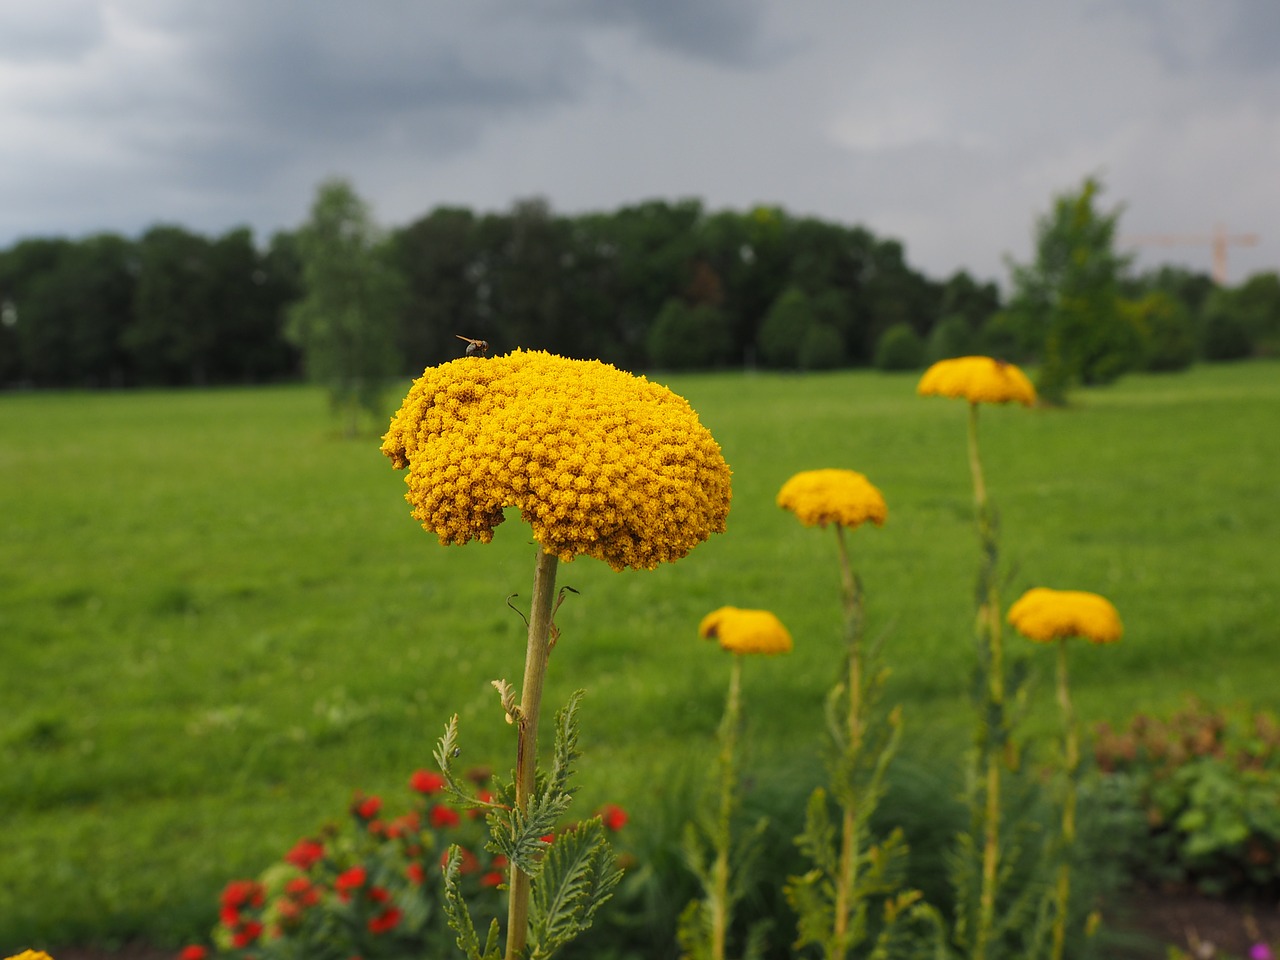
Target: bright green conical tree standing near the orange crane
x,y
1072,295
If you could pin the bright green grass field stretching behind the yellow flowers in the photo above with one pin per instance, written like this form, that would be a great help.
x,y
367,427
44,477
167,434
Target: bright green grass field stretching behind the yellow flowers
x,y
218,620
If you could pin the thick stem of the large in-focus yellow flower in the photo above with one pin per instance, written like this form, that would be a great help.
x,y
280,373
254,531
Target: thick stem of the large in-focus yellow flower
x,y
537,653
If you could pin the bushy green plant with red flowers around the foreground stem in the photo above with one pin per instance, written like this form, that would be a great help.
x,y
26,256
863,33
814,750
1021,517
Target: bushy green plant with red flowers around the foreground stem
x,y
378,886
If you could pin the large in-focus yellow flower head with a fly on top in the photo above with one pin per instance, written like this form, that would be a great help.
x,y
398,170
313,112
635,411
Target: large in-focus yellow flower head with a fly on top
x,y
598,461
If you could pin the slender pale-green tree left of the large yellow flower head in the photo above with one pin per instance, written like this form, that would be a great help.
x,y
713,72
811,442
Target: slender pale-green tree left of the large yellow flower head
x,y
348,321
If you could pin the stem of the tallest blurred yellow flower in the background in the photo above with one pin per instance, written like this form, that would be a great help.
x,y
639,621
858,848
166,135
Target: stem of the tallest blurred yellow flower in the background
x,y
990,630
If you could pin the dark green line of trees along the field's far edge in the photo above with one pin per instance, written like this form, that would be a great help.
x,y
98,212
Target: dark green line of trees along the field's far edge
x,y
651,286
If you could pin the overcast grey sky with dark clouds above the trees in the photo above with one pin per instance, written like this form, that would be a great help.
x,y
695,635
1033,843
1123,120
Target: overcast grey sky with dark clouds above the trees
x,y
948,126
